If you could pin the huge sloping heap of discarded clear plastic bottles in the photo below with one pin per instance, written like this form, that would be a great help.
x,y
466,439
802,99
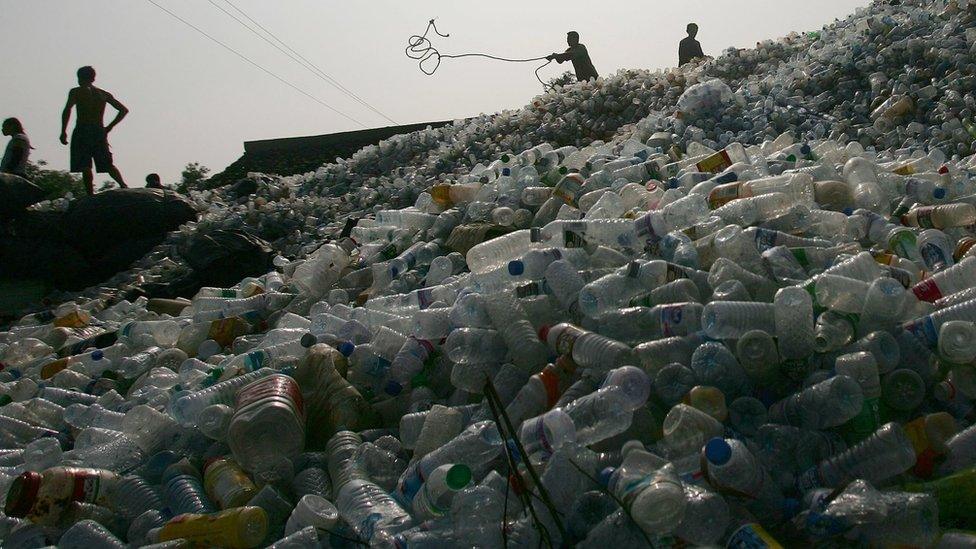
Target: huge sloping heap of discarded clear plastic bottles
x,y
726,306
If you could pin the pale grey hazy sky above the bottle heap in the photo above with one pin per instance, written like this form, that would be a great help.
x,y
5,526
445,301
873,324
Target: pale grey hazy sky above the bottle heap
x,y
191,100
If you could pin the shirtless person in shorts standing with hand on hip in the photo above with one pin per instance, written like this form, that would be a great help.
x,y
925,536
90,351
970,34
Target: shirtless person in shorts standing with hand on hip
x,y
89,140
